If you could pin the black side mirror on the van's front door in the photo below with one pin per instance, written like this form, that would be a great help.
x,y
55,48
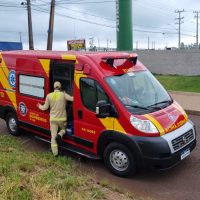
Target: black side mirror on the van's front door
x,y
104,109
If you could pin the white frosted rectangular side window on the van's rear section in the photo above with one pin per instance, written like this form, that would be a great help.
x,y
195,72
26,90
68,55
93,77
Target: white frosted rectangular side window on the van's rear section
x,y
32,85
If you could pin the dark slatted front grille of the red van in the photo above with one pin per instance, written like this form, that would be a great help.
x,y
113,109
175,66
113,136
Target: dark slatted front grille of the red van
x,y
182,140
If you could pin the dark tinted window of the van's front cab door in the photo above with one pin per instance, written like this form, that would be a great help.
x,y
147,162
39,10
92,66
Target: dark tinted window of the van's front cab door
x,y
91,92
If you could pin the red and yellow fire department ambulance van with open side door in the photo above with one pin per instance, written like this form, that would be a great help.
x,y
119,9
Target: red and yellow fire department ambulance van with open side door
x,y
120,113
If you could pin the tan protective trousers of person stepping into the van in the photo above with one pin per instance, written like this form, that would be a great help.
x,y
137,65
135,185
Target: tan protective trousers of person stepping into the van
x,y
54,126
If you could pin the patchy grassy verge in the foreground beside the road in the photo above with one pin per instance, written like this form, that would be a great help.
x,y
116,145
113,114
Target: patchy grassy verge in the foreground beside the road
x,y
28,175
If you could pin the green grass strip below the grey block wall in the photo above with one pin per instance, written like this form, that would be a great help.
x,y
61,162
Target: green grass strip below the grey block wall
x,y
180,83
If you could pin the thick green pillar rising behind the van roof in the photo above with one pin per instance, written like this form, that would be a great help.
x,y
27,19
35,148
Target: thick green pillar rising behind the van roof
x,y
124,25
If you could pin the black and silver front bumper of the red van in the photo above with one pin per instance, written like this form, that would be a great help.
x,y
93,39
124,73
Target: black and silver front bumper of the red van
x,y
159,152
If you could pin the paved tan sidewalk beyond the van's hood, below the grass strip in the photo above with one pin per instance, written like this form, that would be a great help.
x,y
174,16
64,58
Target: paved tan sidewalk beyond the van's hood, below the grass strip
x,y
188,100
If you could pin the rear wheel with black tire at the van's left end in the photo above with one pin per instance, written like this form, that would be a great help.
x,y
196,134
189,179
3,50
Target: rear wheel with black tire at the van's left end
x,y
12,124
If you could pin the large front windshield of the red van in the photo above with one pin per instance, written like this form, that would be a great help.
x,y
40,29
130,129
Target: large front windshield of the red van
x,y
139,92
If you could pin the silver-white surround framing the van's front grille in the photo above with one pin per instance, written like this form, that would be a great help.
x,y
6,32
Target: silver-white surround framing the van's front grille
x,y
178,132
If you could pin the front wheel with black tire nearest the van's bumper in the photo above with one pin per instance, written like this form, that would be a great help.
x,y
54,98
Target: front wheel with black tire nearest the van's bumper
x,y
119,160
